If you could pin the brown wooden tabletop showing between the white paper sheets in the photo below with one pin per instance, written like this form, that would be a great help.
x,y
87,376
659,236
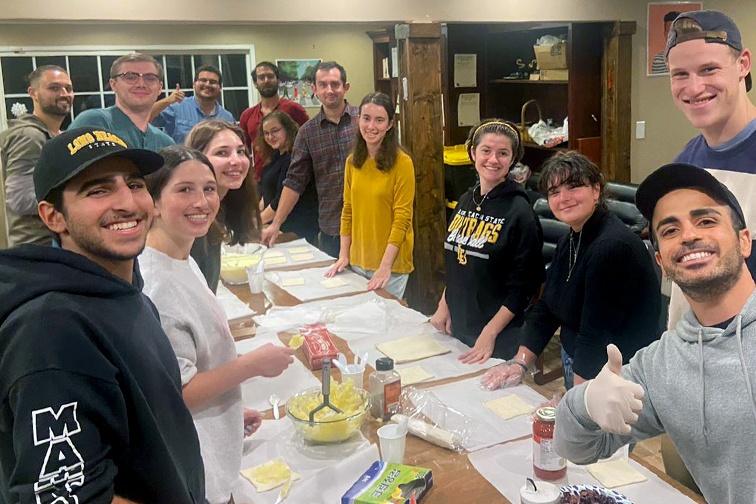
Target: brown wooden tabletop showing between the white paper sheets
x,y
455,478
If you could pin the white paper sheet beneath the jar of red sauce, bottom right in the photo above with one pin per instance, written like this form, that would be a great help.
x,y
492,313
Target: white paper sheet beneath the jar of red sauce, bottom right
x,y
506,467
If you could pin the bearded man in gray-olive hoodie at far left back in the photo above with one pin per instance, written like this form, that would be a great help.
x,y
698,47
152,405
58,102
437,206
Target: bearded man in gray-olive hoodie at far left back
x,y
20,146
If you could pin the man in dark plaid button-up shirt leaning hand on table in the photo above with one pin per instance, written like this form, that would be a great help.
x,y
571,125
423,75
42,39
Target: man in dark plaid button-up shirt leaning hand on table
x,y
320,150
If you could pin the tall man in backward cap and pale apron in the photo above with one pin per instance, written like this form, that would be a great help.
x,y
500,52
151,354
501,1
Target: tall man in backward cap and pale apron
x,y
710,75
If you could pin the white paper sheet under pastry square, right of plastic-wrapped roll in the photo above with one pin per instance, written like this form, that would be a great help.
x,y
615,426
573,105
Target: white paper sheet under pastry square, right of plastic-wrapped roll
x,y
466,397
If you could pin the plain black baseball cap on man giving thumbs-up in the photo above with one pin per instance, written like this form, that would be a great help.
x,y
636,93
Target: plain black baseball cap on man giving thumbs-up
x,y
682,176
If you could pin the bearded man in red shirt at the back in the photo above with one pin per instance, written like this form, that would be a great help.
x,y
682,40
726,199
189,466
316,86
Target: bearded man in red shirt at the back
x,y
266,79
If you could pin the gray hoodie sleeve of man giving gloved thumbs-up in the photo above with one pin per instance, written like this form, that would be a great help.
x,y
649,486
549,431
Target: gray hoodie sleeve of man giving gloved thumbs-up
x,y
580,440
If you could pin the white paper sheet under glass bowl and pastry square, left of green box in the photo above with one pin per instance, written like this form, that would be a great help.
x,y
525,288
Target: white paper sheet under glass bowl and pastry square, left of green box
x,y
324,479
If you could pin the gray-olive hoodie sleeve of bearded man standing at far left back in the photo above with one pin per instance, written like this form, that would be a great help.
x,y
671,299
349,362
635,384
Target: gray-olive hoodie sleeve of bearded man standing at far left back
x,y
21,153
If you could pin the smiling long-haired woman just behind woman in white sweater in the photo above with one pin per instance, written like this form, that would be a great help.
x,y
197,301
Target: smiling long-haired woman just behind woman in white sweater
x,y
238,220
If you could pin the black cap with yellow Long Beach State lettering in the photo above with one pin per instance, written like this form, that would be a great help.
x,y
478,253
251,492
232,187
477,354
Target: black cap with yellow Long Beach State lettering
x,y
64,156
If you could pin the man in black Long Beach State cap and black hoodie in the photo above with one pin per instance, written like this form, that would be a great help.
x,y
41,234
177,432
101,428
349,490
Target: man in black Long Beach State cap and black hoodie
x,y
90,394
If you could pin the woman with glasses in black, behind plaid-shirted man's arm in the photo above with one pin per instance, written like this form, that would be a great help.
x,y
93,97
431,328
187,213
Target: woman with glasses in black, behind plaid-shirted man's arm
x,y
274,145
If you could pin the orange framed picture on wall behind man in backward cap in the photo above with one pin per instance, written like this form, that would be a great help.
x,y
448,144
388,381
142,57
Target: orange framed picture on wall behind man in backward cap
x,y
660,17
